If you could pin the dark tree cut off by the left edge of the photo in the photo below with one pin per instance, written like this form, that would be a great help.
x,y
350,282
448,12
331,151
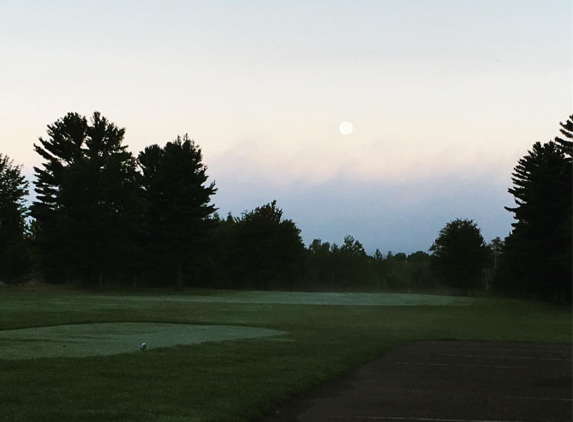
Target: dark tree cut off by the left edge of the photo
x,y
14,257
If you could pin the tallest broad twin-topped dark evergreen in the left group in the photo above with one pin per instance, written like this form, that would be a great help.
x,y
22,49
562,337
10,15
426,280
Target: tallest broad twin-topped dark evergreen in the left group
x,y
87,199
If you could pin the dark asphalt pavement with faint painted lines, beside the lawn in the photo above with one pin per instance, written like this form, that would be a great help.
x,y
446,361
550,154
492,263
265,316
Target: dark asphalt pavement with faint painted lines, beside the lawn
x,y
448,382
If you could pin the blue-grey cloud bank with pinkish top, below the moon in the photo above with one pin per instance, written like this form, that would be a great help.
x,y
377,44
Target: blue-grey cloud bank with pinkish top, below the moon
x,y
392,211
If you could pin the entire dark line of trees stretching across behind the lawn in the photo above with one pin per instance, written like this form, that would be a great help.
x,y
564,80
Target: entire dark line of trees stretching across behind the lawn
x,y
103,216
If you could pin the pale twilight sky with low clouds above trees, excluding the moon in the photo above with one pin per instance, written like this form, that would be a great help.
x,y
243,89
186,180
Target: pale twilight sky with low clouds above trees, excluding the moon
x,y
444,96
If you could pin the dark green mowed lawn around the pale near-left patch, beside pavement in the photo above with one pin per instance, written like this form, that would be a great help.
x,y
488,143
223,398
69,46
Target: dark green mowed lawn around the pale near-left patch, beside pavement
x,y
324,335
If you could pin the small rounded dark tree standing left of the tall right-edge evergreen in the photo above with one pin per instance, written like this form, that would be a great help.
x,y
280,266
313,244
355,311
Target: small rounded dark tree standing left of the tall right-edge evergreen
x,y
459,255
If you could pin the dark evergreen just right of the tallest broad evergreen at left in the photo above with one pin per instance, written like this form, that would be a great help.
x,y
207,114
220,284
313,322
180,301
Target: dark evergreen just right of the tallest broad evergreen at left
x,y
177,206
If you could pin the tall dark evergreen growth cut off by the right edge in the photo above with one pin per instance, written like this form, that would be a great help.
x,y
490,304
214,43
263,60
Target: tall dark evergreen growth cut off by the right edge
x,y
537,256
